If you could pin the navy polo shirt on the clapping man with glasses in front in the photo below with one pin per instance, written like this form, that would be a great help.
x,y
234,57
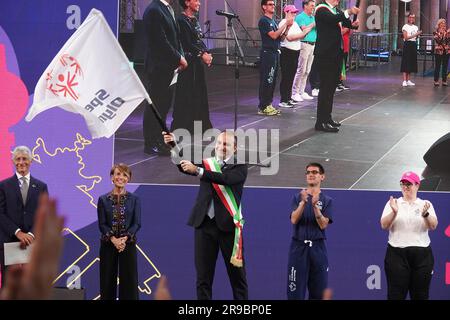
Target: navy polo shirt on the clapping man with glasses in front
x,y
307,227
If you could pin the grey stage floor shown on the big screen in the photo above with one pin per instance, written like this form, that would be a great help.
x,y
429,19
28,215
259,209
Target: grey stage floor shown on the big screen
x,y
386,130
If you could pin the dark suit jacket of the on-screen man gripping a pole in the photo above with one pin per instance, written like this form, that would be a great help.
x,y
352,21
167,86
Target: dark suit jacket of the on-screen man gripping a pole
x,y
329,37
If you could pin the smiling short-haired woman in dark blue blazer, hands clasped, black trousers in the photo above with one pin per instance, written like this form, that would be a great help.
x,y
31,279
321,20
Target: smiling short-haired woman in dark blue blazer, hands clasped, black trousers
x,y
119,219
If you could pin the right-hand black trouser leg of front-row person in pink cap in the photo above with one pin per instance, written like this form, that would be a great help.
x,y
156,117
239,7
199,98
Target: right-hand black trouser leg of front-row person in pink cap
x,y
422,263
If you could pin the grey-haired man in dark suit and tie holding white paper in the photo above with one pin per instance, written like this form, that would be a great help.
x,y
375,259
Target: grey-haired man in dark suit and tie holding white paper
x,y
19,197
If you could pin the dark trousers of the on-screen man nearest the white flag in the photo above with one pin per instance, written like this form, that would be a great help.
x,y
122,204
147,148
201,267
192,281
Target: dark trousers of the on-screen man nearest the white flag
x,y
158,89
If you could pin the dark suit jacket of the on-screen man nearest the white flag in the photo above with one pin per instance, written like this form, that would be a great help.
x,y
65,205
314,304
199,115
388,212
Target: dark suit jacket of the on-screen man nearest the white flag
x,y
163,38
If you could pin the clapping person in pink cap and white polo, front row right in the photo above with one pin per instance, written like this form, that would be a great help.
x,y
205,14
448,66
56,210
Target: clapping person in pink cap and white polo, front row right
x,y
409,259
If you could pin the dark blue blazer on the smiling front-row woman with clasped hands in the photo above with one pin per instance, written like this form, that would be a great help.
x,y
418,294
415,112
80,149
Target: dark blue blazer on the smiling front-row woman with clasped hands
x,y
132,215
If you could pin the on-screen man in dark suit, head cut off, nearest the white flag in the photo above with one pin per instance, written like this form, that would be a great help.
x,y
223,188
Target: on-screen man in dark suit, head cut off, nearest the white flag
x,y
164,55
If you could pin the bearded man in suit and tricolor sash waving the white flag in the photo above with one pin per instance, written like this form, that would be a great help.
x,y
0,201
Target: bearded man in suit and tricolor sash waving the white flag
x,y
212,216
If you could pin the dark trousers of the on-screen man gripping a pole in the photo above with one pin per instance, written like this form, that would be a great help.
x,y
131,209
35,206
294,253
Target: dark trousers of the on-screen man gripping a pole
x,y
329,72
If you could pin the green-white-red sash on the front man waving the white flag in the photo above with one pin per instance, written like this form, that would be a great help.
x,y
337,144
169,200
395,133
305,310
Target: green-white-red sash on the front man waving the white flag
x,y
227,198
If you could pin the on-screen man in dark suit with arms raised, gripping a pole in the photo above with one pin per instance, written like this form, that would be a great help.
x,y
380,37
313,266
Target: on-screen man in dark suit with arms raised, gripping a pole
x,y
328,56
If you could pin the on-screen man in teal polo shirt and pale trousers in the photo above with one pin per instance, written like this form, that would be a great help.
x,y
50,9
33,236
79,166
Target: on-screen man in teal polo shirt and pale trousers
x,y
304,20
